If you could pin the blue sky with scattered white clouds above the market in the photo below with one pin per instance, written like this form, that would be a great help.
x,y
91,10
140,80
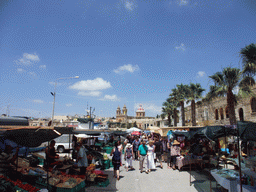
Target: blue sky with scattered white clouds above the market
x,y
124,51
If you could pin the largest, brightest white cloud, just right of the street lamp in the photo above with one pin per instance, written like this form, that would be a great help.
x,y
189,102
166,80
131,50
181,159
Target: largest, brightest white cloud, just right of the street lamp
x,y
91,85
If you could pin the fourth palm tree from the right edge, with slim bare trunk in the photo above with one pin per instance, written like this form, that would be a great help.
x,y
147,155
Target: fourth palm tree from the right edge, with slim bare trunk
x,y
180,94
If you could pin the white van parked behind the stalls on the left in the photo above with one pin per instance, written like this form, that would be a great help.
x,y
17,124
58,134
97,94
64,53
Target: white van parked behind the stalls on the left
x,y
64,142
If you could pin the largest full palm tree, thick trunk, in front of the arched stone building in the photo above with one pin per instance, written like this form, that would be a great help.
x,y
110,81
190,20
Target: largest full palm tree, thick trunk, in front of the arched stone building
x,y
225,82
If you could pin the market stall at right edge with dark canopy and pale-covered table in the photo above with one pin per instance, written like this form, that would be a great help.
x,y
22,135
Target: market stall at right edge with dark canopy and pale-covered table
x,y
244,179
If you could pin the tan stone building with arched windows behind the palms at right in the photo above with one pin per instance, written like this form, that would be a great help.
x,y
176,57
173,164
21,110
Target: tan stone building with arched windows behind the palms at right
x,y
216,111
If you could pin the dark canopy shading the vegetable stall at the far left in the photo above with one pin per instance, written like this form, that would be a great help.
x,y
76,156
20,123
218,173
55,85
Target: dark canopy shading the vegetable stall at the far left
x,y
29,136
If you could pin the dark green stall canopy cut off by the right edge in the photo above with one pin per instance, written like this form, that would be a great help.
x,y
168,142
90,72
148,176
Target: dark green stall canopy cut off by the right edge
x,y
247,130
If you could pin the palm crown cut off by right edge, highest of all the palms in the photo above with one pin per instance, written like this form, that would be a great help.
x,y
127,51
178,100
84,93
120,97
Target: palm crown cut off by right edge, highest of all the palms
x,y
248,55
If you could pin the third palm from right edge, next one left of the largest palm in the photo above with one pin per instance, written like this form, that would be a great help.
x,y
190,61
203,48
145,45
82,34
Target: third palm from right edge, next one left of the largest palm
x,y
195,92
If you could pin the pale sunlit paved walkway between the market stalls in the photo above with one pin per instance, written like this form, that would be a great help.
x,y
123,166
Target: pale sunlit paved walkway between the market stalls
x,y
158,180
